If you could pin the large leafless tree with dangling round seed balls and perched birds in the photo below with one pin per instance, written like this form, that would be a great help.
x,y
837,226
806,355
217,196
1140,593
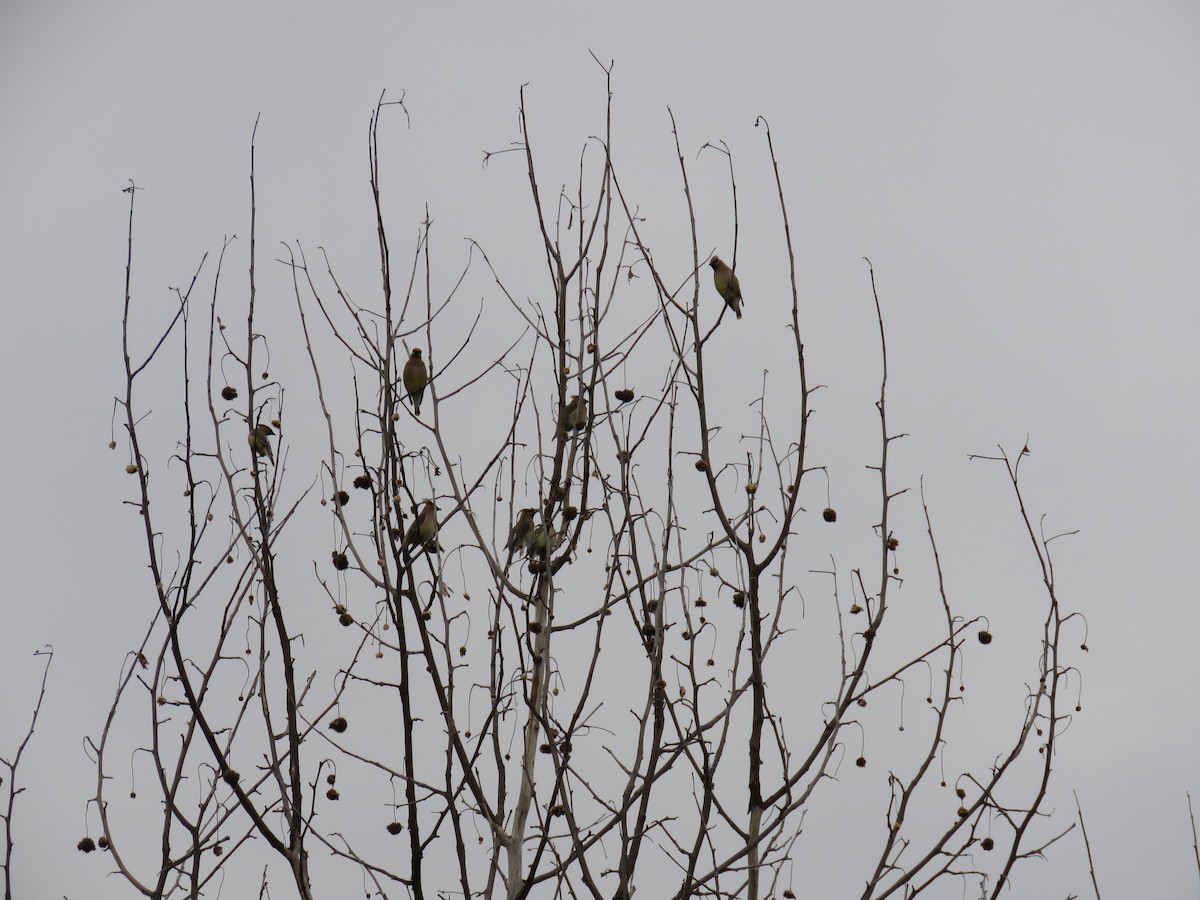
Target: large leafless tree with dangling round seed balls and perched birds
x,y
569,608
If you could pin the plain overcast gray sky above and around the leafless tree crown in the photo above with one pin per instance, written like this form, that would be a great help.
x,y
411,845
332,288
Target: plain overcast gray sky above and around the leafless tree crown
x,y
1023,176
